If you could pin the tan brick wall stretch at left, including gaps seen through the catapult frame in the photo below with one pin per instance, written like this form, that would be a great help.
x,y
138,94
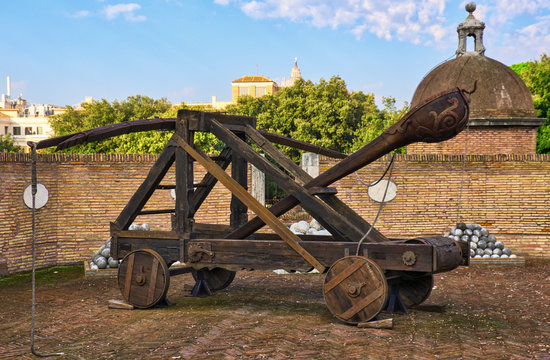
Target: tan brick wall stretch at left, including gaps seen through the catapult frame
x,y
86,193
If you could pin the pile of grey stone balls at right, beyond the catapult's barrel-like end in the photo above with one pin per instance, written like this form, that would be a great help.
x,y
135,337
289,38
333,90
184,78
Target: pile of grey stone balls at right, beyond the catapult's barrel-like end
x,y
482,244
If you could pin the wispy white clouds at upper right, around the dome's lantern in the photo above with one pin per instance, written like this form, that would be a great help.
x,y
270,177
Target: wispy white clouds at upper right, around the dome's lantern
x,y
513,28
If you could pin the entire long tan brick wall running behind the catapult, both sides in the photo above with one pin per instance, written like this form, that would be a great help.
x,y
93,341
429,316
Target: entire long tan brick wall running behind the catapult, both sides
x,y
506,193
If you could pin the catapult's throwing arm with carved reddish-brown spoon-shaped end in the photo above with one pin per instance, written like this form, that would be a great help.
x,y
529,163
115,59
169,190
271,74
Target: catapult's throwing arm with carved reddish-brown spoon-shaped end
x,y
437,119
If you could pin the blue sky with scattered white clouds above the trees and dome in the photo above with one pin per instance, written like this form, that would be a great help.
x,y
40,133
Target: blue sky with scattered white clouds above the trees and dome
x,y
61,51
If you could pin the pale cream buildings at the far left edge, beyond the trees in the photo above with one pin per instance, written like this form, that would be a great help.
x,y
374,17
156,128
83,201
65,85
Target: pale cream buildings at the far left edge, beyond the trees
x,y
25,122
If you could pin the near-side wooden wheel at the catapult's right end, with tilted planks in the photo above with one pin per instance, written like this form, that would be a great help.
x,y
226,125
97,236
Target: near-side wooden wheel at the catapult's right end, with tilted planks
x,y
355,289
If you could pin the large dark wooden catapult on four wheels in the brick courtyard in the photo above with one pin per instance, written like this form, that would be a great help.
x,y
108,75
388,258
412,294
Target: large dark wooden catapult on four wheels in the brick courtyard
x,y
358,260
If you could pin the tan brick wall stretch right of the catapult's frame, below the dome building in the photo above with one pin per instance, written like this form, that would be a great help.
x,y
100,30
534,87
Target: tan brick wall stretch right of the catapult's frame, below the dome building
x,y
508,194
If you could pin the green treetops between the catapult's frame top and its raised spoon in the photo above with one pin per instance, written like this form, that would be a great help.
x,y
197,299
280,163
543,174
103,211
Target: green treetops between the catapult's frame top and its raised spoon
x,y
323,114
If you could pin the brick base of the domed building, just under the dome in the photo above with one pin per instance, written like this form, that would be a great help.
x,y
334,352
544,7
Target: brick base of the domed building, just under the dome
x,y
484,141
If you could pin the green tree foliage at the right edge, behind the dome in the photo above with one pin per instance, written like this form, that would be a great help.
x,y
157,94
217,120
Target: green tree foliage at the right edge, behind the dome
x,y
536,75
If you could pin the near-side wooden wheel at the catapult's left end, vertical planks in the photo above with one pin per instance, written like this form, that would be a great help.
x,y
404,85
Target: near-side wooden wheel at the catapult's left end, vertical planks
x,y
143,278
